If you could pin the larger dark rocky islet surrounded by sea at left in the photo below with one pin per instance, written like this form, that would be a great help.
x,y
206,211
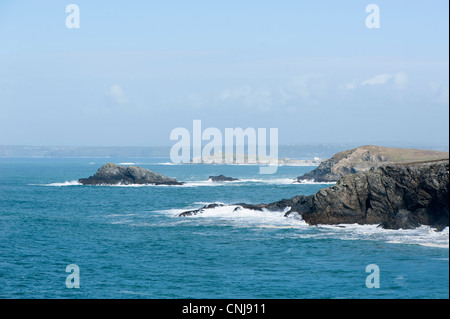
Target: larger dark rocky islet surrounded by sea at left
x,y
111,174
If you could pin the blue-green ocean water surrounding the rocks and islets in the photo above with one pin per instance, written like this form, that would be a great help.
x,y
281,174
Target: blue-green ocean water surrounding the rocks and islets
x,y
129,243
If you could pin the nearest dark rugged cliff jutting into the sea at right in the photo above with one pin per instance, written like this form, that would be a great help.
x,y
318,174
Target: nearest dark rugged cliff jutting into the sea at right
x,y
393,196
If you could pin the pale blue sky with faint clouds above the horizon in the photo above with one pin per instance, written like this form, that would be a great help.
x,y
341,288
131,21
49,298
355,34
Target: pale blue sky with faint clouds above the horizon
x,y
135,70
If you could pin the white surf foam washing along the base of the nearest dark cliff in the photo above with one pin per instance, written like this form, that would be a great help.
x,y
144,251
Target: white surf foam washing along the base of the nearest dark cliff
x,y
423,235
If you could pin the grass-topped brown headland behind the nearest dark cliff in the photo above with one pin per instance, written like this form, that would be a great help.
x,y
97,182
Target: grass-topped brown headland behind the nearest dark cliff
x,y
363,158
